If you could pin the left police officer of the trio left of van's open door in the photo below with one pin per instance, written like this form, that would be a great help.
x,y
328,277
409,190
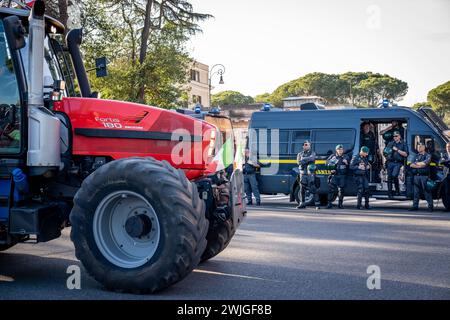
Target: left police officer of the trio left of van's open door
x,y
306,159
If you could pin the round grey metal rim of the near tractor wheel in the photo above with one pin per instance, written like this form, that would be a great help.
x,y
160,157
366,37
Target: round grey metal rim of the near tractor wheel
x,y
126,229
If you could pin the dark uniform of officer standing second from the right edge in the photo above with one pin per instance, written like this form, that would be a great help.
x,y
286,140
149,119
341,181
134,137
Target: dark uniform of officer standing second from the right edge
x,y
420,180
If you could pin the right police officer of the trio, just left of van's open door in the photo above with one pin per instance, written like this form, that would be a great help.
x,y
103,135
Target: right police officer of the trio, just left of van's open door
x,y
361,168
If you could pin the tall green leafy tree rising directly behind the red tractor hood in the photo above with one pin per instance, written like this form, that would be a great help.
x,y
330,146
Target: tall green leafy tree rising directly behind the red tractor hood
x,y
144,42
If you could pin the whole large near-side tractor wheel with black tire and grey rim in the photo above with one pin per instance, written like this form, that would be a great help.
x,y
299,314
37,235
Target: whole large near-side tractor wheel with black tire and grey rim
x,y
138,225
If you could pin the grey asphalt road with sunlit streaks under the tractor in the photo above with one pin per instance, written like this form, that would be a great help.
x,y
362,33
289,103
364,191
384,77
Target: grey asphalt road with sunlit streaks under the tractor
x,y
278,253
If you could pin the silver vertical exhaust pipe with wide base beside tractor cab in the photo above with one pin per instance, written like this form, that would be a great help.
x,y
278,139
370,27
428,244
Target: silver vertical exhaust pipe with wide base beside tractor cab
x,y
44,150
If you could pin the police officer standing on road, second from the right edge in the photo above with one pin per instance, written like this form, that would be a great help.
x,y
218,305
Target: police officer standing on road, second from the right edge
x,y
420,166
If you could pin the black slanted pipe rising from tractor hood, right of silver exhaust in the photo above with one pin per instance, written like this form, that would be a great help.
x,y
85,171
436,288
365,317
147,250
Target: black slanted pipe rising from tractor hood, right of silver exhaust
x,y
74,39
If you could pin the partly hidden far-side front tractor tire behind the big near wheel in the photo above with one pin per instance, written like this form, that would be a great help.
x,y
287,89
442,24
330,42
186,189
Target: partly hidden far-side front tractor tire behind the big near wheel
x,y
219,236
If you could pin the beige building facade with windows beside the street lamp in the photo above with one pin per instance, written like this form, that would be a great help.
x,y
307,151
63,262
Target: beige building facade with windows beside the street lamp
x,y
198,86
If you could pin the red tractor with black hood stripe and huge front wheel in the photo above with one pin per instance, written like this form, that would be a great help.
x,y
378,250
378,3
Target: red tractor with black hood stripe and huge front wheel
x,y
142,188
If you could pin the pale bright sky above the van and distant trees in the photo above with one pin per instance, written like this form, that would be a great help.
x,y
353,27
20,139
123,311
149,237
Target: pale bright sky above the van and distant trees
x,y
264,44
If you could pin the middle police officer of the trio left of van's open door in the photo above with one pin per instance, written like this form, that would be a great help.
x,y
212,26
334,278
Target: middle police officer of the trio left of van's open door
x,y
336,183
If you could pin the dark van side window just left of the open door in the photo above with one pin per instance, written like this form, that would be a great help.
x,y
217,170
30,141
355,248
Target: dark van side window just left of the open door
x,y
325,141
